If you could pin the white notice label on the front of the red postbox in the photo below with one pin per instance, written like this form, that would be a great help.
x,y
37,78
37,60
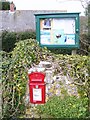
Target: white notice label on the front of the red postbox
x,y
37,95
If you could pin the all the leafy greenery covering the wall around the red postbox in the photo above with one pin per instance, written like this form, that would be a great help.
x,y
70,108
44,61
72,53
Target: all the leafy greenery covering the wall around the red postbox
x,y
15,67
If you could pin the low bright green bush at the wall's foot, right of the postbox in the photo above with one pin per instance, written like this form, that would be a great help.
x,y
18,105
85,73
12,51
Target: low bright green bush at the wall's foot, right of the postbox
x,y
68,107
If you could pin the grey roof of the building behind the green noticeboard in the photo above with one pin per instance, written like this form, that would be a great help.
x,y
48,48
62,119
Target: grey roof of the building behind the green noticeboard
x,y
20,20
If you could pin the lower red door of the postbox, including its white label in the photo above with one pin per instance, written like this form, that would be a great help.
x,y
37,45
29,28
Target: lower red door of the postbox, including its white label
x,y
37,93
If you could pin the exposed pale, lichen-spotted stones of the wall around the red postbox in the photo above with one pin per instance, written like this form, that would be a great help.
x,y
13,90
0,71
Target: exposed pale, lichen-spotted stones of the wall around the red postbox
x,y
55,85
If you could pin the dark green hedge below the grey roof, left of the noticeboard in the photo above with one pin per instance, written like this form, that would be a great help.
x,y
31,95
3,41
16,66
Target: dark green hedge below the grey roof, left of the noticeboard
x,y
10,38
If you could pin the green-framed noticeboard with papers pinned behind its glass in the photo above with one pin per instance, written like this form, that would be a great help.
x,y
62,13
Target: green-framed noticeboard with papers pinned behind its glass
x,y
58,30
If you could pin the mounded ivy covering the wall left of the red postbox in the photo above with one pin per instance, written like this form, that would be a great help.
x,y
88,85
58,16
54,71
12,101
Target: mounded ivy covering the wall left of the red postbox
x,y
15,67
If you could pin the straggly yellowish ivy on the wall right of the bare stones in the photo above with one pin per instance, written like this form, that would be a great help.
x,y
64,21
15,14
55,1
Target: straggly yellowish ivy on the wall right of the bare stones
x,y
78,69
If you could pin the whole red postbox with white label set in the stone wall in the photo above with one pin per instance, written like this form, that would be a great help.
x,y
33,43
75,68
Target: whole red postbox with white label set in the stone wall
x,y
37,87
